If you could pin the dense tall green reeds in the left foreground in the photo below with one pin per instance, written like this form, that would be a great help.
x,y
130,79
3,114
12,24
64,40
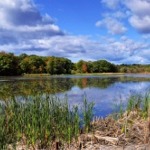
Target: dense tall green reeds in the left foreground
x,y
41,121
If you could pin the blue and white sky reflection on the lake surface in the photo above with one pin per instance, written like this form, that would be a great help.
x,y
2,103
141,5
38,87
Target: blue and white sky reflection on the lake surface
x,y
107,100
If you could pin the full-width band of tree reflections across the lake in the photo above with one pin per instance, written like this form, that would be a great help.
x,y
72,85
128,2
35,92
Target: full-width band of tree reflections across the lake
x,y
55,85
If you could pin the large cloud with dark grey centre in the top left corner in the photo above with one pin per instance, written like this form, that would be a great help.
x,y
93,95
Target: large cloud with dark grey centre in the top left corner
x,y
21,20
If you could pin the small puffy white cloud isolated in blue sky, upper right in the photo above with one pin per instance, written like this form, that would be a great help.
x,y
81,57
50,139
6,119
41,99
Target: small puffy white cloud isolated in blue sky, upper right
x,y
113,25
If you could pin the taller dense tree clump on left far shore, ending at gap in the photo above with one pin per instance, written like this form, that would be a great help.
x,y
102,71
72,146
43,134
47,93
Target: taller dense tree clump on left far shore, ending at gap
x,y
31,64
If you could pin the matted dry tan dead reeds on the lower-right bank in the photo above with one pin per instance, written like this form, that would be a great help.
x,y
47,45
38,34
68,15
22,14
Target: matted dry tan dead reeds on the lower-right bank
x,y
130,129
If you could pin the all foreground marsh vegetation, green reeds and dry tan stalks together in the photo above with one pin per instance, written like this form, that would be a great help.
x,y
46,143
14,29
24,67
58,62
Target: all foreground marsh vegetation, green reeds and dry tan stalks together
x,y
41,121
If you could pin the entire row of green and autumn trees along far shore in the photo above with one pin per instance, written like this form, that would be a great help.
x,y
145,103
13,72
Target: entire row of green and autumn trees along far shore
x,y
11,64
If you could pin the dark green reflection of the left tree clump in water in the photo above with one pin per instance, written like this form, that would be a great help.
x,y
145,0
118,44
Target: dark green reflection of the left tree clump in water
x,y
31,87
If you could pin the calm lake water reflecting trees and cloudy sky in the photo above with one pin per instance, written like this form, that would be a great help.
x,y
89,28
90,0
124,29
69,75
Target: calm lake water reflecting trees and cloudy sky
x,y
105,91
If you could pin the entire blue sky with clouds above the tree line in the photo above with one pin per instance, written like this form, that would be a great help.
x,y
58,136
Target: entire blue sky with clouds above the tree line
x,y
115,30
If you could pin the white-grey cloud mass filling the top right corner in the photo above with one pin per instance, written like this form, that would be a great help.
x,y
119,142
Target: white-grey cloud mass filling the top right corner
x,y
137,12
